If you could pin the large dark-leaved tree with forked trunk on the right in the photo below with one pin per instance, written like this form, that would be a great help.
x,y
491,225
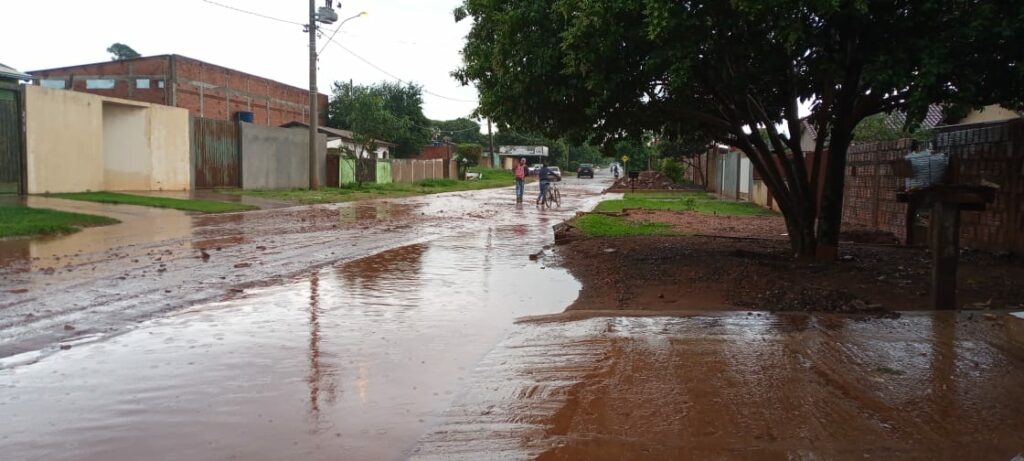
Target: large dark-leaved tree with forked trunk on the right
x,y
605,69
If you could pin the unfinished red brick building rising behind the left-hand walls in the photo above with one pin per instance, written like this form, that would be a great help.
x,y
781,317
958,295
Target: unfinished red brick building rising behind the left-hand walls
x,y
205,90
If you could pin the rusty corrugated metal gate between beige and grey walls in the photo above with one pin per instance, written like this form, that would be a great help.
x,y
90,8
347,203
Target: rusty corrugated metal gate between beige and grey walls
x,y
216,153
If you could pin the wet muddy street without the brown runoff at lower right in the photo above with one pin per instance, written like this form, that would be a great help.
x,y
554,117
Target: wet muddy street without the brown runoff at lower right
x,y
307,333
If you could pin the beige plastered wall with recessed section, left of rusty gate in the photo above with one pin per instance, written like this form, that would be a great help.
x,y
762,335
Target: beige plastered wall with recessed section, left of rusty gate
x,y
79,142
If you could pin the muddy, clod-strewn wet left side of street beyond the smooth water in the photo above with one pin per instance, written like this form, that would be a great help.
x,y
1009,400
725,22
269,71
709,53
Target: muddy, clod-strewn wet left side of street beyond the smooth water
x,y
105,280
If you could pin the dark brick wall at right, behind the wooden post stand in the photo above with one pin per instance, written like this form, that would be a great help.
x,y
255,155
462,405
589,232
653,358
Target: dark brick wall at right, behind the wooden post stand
x,y
990,154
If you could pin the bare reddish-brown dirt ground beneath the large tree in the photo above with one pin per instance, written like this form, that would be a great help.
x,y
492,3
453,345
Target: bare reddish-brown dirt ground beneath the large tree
x,y
697,273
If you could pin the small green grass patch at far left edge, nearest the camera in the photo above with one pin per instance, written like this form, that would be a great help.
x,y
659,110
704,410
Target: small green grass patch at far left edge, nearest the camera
x,y
20,221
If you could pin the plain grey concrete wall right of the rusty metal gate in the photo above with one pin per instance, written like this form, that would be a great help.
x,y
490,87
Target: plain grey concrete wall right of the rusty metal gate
x,y
279,158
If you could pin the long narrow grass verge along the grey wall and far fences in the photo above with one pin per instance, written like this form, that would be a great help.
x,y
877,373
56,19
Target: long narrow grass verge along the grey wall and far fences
x,y
353,193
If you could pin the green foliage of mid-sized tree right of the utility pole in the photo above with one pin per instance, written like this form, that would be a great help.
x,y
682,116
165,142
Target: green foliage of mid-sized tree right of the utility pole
x,y
387,111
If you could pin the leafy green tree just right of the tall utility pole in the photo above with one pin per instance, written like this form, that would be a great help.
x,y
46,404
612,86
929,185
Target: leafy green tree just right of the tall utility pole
x,y
404,103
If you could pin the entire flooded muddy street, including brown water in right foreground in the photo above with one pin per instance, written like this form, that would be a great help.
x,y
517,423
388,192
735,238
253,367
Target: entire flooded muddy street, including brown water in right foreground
x,y
422,329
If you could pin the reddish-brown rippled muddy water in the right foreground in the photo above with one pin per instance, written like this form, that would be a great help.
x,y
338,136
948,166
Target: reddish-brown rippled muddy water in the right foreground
x,y
739,387
